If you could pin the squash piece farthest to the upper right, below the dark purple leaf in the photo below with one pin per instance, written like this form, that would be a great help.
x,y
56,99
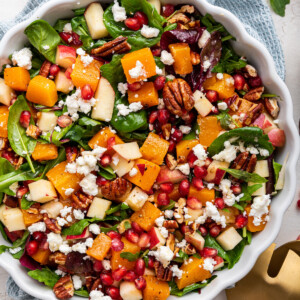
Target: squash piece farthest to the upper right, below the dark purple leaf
x,y
224,87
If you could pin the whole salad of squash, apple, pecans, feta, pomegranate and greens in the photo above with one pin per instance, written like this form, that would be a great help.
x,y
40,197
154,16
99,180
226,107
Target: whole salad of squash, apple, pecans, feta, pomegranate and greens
x,y
137,152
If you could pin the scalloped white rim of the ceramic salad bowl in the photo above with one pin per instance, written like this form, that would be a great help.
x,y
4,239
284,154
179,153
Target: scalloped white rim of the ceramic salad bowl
x,y
244,38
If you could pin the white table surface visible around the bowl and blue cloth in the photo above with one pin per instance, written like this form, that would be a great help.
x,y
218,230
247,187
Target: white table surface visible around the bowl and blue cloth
x,y
288,31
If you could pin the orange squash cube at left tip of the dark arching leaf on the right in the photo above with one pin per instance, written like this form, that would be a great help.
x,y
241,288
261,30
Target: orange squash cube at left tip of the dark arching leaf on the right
x,y
210,128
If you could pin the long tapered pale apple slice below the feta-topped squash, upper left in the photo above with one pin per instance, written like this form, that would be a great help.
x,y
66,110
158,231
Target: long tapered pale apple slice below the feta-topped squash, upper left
x,y
105,100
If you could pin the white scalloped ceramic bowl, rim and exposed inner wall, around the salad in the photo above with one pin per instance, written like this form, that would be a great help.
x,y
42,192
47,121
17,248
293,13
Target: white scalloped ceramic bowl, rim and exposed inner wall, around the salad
x,y
261,59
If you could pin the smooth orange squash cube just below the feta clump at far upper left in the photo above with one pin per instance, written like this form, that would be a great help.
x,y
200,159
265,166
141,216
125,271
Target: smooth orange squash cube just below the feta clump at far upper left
x,y
17,78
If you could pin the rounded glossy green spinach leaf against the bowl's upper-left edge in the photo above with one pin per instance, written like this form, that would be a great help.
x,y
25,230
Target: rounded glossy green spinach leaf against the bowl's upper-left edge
x,y
44,38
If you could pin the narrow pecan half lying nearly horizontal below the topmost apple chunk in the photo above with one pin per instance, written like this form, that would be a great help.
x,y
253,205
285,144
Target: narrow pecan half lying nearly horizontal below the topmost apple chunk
x,y
117,46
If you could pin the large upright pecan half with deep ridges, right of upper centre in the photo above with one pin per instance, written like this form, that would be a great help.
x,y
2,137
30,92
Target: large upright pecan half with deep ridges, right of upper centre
x,y
177,95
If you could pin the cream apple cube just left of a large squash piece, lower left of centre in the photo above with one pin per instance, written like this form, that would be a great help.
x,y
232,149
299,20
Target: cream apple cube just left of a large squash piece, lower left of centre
x,y
42,191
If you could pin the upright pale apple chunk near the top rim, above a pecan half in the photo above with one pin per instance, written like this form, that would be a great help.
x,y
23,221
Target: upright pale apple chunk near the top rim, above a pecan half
x,y
94,19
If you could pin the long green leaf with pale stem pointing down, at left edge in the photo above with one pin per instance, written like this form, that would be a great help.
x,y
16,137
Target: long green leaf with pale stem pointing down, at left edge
x,y
22,144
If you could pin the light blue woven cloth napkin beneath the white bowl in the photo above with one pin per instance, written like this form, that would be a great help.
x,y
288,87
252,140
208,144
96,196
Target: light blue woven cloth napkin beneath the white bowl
x,y
254,14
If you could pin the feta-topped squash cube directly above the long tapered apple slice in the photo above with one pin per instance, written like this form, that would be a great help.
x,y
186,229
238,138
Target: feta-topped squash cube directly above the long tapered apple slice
x,y
89,74
